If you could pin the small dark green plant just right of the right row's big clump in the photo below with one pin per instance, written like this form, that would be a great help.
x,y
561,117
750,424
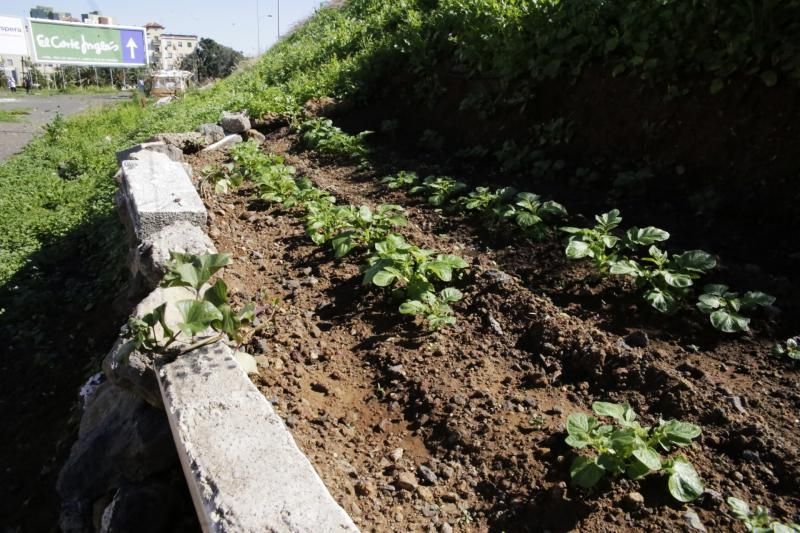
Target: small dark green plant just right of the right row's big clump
x,y
724,308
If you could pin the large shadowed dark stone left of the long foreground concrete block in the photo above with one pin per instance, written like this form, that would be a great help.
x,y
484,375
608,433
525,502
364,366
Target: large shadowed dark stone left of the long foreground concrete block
x,y
121,439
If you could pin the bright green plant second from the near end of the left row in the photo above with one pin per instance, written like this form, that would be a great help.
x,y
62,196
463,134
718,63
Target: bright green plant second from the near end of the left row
x,y
411,269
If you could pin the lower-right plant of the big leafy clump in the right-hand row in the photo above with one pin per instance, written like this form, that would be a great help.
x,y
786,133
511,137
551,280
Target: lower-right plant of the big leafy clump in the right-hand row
x,y
665,280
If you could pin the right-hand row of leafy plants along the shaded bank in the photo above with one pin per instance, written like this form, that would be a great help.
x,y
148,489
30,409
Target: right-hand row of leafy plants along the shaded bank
x,y
665,281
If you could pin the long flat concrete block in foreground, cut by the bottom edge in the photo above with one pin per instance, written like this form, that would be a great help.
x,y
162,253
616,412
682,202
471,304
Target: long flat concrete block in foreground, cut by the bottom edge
x,y
244,469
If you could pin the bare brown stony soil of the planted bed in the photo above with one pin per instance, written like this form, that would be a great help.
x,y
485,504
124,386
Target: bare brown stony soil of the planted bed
x,y
474,417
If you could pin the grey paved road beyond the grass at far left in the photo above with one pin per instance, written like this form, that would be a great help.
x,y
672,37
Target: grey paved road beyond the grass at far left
x,y
15,135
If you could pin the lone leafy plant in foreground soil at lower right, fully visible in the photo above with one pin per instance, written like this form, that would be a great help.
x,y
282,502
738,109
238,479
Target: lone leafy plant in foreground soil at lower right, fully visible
x,y
632,449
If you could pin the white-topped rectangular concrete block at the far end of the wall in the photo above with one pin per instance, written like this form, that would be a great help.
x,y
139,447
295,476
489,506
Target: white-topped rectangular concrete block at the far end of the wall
x,y
159,192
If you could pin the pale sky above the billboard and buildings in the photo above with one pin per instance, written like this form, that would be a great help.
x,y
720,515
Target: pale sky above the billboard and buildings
x,y
229,22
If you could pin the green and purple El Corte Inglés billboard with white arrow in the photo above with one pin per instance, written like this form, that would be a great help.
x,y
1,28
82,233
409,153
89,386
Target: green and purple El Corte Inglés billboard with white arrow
x,y
71,43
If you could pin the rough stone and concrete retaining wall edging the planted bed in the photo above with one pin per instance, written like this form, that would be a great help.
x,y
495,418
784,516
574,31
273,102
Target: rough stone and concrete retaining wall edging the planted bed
x,y
242,467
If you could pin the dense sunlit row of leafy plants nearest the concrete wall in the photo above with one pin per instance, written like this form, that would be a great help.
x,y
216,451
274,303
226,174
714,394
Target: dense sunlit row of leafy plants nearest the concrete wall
x,y
418,278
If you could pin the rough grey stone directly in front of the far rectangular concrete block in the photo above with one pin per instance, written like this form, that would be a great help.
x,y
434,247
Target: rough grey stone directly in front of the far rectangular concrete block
x,y
151,257
